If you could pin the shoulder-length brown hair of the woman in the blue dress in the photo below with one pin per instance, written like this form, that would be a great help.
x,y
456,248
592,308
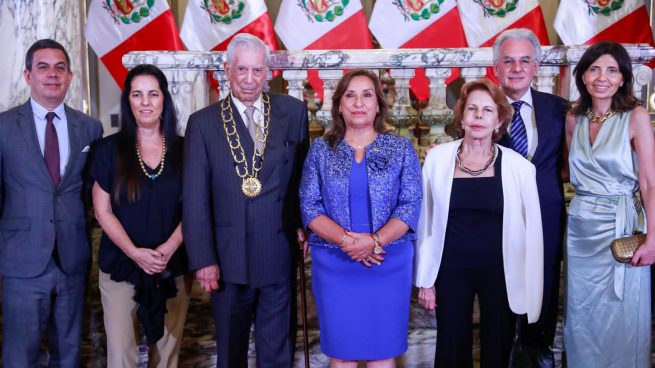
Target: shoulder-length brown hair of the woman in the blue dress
x,y
338,130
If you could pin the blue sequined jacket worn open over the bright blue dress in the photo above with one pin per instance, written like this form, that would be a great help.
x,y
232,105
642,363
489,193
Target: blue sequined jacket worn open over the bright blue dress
x,y
394,183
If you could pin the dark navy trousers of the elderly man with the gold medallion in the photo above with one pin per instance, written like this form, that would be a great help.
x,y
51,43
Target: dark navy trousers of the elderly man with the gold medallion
x,y
235,307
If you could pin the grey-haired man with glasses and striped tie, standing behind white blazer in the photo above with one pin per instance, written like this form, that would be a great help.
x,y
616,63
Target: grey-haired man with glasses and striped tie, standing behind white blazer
x,y
537,132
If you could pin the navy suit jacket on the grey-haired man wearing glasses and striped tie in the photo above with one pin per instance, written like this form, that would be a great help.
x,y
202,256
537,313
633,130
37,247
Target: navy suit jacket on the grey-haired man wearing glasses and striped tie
x,y
549,111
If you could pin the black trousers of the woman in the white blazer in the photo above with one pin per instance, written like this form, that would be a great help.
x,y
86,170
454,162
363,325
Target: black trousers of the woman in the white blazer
x,y
456,289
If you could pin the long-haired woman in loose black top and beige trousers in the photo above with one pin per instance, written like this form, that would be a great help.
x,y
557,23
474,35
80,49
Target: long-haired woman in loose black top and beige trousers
x,y
136,197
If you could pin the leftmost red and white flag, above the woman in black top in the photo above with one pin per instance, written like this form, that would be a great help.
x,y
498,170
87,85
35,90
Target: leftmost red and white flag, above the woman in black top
x,y
114,28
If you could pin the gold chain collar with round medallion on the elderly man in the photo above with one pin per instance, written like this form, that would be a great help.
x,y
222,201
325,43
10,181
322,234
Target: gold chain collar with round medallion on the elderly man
x,y
250,185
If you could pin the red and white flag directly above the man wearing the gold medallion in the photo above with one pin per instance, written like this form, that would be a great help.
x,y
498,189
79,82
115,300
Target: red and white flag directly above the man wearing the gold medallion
x,y
211,24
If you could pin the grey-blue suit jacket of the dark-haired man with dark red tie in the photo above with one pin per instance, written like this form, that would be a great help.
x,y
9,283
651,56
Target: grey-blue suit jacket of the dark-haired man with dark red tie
x,y
33,211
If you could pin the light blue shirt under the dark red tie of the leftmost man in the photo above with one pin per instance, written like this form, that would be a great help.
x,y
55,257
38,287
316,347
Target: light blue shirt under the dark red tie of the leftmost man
x,y
61,126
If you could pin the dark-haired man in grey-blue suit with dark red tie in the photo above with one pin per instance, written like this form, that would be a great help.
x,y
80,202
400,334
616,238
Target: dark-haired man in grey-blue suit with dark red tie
x,y
44,247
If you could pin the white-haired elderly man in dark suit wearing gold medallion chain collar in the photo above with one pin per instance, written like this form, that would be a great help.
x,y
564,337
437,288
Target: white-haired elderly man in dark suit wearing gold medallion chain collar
x,y
243,158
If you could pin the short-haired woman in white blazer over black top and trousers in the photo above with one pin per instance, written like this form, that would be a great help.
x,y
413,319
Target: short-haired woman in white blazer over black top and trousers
x,y
479,233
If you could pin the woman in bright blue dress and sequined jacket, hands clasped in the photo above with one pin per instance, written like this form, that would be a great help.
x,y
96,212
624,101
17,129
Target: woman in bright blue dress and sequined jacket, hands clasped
x,y
360,199
